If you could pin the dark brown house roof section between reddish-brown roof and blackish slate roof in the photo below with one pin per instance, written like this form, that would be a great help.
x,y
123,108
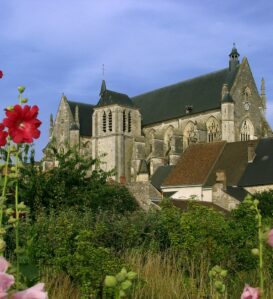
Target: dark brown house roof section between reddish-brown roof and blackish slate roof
x,y
233,161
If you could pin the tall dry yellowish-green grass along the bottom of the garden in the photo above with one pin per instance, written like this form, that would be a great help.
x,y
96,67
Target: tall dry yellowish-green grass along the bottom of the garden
x,y
161,276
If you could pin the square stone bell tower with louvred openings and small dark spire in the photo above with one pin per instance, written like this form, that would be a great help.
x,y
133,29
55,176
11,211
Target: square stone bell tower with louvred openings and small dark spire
x,y
116,121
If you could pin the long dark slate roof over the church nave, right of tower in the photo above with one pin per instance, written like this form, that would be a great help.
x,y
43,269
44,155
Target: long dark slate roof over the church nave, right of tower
x,y
201,93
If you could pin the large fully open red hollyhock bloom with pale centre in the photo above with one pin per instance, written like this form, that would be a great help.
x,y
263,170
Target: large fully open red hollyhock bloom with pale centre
x,y
22,123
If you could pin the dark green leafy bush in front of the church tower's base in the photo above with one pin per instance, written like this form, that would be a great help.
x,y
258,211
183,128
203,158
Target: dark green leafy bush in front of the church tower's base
x,y
72,184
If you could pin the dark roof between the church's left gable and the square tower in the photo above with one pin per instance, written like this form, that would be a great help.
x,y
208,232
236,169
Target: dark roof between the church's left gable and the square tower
x,y
85,116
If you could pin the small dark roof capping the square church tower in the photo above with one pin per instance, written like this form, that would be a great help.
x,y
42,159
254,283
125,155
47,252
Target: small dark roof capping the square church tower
x,y
109,97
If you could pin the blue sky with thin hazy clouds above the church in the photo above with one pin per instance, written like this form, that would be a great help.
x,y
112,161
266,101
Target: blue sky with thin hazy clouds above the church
x,y
59,46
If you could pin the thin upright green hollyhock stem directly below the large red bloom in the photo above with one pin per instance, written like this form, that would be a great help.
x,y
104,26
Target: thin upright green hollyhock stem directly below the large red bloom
x,y
17,216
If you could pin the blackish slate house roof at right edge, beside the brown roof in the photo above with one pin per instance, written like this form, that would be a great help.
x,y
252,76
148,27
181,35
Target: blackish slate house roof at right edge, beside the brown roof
x,y
260,171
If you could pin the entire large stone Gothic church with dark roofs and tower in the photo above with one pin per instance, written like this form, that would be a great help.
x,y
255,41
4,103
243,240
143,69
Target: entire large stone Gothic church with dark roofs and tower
x,y
134,136
